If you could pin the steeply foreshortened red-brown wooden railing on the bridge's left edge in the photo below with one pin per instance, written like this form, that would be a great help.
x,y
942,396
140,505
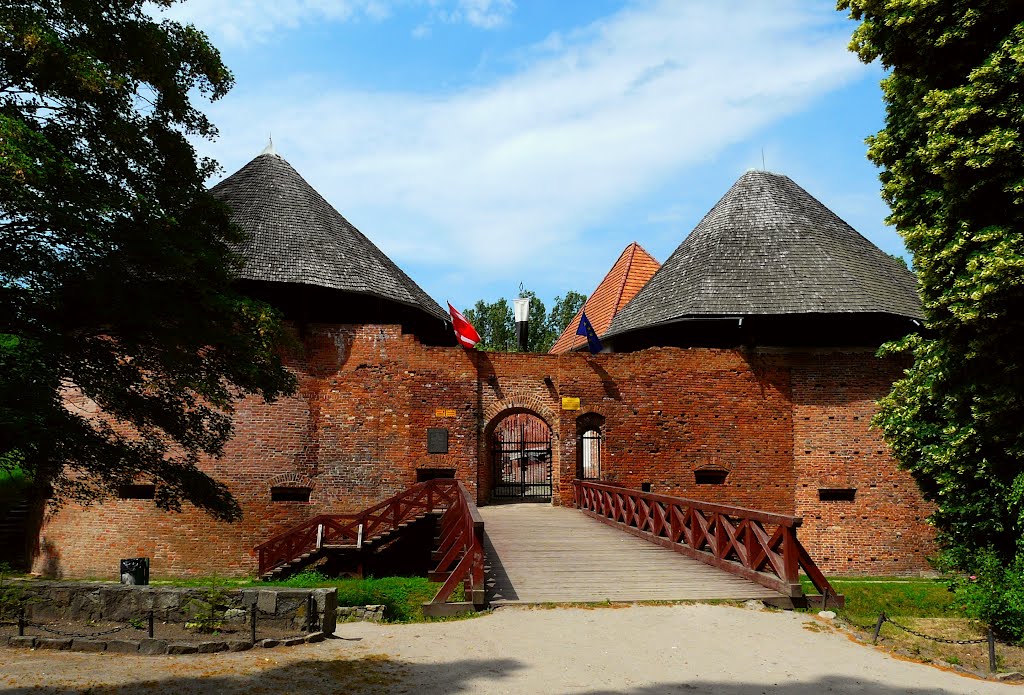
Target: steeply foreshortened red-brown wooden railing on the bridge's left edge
x,y
460,554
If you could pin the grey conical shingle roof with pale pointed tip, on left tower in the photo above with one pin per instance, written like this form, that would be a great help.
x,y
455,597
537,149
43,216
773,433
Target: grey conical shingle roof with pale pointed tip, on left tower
x,y
297,237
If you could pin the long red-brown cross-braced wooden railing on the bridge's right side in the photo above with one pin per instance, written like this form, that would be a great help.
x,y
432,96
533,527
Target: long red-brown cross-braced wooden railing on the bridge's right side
x,y
758,546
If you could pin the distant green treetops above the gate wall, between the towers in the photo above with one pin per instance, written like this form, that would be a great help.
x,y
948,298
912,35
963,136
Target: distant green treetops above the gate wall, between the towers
x,y
496,324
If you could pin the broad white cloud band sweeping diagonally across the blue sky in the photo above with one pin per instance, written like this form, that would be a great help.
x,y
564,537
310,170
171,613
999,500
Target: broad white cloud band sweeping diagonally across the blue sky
x,y
594,119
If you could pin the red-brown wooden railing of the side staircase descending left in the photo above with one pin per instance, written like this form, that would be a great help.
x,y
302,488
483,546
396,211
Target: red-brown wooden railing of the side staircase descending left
x,y
355,530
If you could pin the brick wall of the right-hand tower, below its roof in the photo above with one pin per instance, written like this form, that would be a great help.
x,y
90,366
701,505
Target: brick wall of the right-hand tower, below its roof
x,y
883,530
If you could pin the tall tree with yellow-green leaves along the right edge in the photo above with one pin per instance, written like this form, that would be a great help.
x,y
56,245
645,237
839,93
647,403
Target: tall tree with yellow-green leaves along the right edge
x,y
953,153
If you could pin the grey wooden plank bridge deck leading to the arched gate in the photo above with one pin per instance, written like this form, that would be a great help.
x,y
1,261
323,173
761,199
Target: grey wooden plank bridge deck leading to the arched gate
x,y
541,554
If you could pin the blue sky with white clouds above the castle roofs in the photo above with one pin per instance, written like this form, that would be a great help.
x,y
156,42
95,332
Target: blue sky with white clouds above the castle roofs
x,y
488,144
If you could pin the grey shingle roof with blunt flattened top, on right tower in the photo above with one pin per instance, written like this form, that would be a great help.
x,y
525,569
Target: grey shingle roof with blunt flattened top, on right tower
x,y
770,248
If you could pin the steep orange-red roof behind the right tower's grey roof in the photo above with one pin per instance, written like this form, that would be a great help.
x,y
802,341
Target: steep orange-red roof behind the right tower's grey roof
x,y
634,268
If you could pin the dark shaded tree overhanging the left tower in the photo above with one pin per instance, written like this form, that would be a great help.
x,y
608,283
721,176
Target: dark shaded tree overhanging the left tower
x,y
116,265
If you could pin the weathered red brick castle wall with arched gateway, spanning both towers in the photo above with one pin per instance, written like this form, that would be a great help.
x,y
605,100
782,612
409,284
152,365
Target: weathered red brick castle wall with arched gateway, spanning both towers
x,y
356,433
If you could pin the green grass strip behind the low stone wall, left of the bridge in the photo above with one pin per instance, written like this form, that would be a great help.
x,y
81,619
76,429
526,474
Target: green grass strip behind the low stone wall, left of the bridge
x,y
403,598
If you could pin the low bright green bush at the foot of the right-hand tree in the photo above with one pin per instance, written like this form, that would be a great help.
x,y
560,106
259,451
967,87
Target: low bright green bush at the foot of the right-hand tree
x,y
994,594
